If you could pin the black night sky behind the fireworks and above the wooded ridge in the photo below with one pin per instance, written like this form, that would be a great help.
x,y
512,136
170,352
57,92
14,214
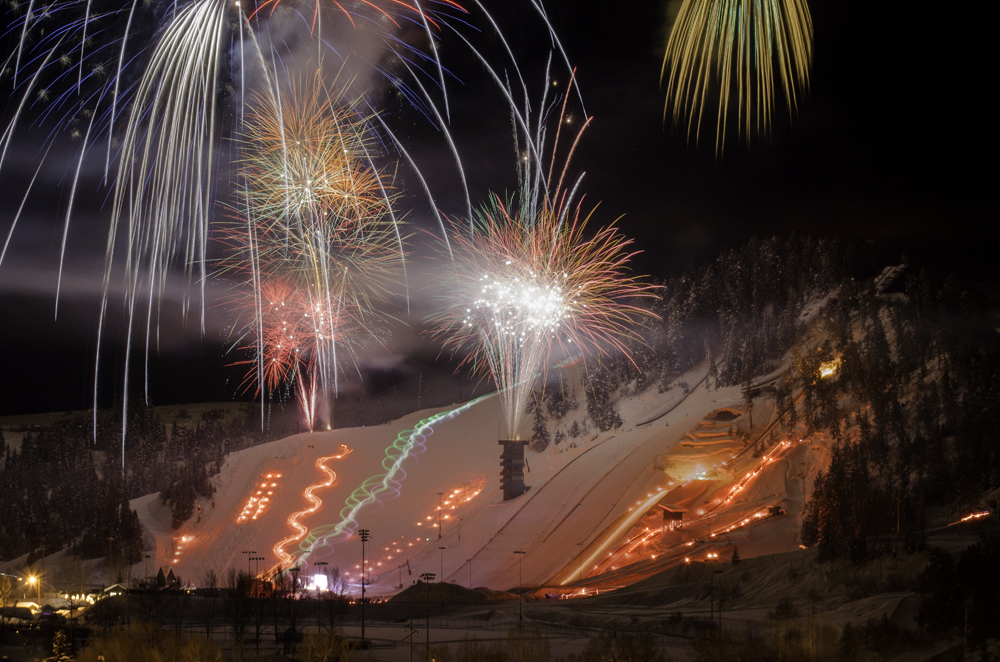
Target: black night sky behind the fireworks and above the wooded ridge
x,y
893,143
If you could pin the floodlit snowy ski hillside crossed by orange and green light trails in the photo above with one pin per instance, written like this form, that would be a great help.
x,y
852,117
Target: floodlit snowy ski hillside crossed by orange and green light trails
x,y
588,496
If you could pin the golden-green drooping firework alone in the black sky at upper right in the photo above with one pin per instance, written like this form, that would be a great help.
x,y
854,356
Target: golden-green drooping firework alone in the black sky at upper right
x,y
740,36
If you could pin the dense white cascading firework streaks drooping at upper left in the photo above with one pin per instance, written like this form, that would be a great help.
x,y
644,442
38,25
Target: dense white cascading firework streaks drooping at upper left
x,y
148,195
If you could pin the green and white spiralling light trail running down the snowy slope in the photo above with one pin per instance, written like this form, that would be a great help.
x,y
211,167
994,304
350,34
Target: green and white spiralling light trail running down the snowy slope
x,y
384,486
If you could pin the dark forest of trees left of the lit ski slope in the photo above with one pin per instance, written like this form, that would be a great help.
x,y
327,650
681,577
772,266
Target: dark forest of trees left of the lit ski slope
x,y
64,485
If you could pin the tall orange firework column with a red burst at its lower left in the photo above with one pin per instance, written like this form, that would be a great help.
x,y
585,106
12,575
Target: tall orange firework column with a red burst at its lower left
x,y
320,241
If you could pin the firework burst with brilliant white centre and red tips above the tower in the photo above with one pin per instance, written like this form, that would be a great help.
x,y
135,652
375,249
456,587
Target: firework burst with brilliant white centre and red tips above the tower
x,y
528,285
